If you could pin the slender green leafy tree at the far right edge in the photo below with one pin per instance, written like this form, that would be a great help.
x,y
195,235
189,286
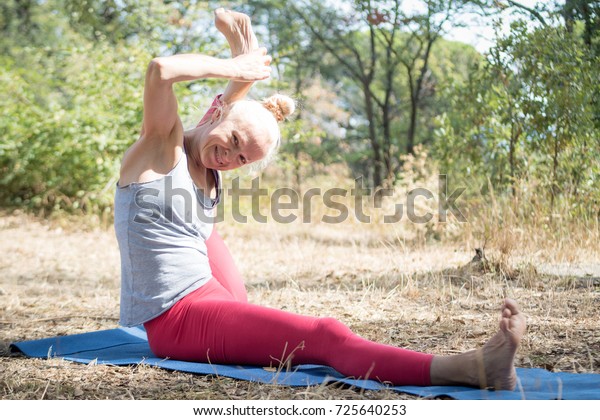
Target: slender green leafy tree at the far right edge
x,y
561,80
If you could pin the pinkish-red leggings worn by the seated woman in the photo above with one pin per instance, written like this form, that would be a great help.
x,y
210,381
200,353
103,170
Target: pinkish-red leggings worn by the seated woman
x,y
216,324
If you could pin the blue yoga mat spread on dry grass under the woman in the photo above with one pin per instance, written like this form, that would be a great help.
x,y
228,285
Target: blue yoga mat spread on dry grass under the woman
x,y
129,346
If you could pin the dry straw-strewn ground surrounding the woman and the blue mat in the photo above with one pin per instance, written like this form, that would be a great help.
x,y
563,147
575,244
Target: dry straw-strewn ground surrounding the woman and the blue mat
x,y
58,278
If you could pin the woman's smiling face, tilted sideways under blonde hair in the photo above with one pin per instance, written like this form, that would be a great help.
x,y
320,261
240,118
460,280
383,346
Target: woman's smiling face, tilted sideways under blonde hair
x,y
240,138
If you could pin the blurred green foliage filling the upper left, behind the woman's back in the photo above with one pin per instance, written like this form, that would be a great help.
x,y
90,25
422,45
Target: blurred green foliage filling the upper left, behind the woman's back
x,y
73,83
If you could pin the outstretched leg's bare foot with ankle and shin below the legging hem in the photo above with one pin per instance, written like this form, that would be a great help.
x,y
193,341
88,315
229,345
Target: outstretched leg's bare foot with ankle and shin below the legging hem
x,y
491,366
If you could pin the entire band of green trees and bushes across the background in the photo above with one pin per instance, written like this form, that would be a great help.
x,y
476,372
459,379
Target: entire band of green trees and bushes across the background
x,y
372,80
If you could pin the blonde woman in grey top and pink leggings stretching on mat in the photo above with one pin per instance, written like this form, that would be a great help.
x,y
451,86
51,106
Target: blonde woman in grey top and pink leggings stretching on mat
x,y
178,278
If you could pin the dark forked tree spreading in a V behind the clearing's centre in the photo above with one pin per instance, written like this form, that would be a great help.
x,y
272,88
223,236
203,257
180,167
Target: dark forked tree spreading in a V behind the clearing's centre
x,y
368,42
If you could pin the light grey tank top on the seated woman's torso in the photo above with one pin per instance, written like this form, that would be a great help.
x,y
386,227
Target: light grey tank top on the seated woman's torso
x,y
161,227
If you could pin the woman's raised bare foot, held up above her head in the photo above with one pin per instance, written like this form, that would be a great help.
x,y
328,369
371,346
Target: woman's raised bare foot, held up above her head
x,y
237,29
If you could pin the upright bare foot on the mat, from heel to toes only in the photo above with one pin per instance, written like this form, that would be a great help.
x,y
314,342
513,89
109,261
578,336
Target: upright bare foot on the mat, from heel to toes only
x,y
499,352
